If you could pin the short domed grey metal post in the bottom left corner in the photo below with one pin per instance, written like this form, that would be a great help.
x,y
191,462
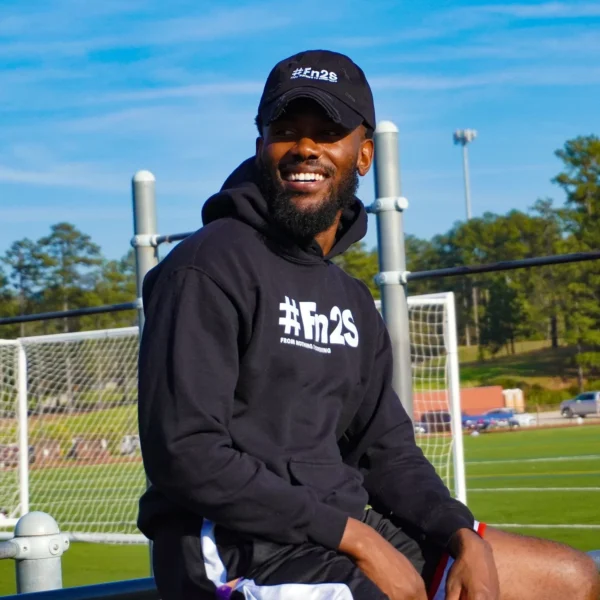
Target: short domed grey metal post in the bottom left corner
x,y
39,546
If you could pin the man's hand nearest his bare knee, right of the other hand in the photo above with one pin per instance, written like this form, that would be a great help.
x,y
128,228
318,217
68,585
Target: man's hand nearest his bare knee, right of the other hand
x,y
473,575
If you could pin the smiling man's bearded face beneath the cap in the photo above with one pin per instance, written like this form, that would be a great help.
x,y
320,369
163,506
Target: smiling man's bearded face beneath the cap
x,y
309,167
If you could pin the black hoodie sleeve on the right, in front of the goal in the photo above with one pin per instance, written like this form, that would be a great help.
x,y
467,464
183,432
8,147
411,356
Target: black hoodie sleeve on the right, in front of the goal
x,y
398,477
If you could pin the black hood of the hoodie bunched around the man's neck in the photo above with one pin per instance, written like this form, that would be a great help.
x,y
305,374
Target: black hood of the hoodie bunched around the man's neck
x,y
240,198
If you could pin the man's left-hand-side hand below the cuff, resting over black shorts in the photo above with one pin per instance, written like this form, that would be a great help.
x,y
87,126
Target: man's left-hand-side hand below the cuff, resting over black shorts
x,y
387,568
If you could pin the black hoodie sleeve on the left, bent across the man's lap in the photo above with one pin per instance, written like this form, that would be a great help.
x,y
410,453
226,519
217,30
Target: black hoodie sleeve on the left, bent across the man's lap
x,y
188,372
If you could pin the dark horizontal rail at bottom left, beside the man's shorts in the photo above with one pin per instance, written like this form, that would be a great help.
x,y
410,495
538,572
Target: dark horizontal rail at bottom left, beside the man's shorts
x,y
133,589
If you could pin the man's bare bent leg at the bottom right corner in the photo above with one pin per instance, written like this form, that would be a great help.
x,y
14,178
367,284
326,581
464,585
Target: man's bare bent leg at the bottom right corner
x,y
536,569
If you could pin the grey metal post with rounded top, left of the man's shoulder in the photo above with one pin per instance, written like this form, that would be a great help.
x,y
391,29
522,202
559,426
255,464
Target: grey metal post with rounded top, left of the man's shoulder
x,y
144,227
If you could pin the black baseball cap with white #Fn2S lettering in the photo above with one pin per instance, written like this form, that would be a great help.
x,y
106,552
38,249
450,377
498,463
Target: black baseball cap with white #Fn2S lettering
x,y
331,79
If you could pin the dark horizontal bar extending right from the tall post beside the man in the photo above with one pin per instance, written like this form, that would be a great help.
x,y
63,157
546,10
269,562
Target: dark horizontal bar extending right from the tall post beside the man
x,y
507,265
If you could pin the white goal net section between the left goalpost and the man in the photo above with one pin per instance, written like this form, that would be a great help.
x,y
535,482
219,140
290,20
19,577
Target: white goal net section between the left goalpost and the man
x,y
85,465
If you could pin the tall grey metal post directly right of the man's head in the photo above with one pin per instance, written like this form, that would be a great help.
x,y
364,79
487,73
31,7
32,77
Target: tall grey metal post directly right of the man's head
x,y
388,207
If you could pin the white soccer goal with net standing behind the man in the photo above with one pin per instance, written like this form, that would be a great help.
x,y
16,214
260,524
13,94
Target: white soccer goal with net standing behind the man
x,y
68,422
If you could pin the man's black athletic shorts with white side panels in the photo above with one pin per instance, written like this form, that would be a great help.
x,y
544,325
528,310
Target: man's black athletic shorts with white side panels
x,y
192,559
